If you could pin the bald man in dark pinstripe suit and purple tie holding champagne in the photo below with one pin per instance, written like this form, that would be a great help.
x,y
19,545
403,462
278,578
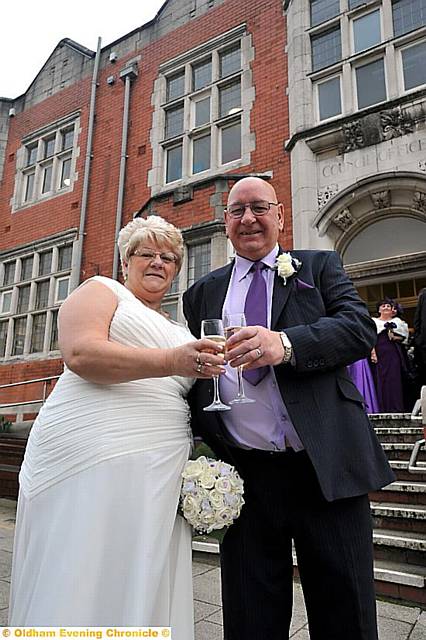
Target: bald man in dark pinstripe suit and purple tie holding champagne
x,y
305,449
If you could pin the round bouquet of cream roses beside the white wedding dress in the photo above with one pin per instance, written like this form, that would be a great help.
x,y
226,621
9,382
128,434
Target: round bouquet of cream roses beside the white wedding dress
x,y
212,494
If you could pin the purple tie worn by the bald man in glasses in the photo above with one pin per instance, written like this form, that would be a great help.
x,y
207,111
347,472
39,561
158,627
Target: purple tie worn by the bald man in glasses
x,y
255,310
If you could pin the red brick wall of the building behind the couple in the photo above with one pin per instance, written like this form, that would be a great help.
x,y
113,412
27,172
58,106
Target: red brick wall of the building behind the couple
x,y
269,123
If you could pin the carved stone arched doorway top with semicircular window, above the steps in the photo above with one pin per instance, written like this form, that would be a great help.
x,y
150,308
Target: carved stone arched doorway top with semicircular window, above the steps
x,y
379,227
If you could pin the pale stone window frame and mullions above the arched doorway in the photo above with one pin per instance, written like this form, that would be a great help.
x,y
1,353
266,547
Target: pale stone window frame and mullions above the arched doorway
x,y
389,49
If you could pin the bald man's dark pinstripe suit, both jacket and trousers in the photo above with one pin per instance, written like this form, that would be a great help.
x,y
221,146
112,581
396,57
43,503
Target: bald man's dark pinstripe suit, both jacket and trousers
x,y
318,497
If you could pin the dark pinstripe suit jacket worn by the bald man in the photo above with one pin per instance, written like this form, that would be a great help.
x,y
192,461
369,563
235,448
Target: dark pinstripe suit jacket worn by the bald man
x,y
329,327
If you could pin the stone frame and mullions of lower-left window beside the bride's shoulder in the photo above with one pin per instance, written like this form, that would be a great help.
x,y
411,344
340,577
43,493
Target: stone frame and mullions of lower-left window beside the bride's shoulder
x,y
53,243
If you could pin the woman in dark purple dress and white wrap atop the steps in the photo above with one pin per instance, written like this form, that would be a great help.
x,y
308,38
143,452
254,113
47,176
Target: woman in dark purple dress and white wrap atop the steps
x,y
391,366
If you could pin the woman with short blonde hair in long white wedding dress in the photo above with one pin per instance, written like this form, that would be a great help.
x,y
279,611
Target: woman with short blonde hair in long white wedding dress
x,y
97,540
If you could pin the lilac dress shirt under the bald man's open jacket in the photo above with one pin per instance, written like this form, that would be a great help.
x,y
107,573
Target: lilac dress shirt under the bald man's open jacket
x,y
265,424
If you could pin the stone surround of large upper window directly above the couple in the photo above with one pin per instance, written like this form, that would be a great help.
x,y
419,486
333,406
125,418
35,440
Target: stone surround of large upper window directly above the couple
x,y
156,176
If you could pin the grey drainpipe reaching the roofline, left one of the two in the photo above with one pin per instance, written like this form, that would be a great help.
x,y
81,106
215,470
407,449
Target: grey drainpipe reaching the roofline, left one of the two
x,y
76,267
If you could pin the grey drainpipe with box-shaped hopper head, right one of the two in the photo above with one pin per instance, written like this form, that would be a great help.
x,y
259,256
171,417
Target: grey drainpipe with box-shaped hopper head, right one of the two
x,y
128,74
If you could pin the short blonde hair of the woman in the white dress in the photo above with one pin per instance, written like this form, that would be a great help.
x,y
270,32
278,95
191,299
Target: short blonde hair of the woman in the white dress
x,y
153,229
